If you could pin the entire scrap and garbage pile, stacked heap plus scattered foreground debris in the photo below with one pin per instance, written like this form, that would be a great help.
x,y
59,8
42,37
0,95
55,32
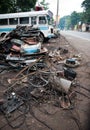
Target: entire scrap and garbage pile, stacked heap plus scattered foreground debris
x,y
36,80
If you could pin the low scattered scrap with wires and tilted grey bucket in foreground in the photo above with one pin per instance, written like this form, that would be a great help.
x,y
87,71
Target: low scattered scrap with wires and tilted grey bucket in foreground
x,y
43,84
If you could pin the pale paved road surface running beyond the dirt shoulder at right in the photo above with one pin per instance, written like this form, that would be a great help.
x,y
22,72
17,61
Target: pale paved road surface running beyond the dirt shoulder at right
x,y
79,40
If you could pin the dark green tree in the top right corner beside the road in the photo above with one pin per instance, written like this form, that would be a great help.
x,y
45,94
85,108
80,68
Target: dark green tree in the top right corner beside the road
x,y
86,13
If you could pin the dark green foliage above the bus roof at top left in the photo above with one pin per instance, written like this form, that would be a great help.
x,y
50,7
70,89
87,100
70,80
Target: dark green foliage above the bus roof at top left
x,y
12,6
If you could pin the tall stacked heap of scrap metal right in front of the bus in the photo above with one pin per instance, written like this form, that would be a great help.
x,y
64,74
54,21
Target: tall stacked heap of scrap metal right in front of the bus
x,y
17,46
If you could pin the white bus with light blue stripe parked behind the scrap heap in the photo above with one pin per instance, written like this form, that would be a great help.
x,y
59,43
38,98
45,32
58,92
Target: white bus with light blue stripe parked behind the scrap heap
x,y
41,19
